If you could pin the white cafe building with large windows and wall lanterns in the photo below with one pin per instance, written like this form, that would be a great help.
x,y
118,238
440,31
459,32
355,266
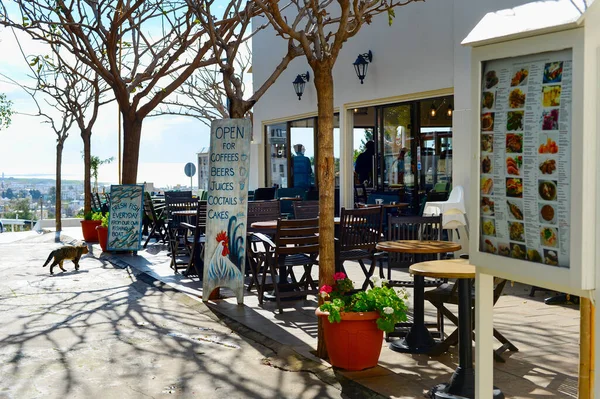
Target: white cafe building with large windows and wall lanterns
x,y
418,65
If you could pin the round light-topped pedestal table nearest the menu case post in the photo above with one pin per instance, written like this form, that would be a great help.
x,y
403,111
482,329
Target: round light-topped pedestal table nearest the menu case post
x,y
462,382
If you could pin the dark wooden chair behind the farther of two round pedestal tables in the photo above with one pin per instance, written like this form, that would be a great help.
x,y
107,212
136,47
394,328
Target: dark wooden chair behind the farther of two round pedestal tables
x,y
411,228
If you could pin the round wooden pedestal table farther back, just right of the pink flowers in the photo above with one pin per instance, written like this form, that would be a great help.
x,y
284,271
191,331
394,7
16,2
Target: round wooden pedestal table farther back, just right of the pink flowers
x,y
418,339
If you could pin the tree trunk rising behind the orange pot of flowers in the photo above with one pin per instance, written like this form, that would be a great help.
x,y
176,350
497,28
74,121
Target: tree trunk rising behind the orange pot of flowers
x,y
326,172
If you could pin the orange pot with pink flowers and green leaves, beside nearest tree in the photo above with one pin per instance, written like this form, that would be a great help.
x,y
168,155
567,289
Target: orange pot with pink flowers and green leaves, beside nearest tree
x,y
354,322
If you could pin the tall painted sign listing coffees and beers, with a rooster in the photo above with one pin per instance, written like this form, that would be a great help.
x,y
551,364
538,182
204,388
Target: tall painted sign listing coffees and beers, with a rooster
x,y
229,165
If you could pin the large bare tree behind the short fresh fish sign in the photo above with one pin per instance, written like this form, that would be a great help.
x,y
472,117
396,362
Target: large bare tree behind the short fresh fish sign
x,y
142,49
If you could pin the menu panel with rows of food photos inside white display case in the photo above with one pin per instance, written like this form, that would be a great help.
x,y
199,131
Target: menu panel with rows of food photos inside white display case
x,y
525,157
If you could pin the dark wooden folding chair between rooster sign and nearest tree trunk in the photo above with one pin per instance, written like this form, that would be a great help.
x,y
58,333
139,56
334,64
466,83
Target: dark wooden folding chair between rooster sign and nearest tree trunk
x,y
296,244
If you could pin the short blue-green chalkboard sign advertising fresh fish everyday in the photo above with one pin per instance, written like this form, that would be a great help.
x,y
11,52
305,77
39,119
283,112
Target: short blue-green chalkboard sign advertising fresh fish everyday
x,y
125,217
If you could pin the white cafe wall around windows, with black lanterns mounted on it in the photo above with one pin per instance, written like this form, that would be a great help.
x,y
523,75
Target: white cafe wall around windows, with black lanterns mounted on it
x,y
420,52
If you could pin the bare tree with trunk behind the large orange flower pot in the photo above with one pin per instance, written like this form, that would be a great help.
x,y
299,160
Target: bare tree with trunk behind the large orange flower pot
x,y
320,29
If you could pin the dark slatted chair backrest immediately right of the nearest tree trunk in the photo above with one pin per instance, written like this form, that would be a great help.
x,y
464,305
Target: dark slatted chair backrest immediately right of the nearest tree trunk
x,y
360,228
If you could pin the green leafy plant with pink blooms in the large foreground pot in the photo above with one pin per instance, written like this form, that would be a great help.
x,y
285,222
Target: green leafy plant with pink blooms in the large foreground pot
x,y
381,298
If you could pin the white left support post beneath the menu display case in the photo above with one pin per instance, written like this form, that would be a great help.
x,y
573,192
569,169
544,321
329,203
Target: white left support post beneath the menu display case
x,y
484,324
